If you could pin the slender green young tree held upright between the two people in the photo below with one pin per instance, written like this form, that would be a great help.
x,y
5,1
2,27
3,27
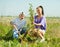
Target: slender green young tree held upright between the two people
x,y
31,13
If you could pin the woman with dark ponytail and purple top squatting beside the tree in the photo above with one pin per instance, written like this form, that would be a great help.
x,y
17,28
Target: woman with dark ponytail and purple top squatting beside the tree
x,y
40,22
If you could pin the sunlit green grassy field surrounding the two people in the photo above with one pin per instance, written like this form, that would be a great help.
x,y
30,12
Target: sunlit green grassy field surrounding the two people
x,y
52,36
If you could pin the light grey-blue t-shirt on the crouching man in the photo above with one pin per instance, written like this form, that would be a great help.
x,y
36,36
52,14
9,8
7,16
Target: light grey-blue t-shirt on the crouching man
x,y
19,23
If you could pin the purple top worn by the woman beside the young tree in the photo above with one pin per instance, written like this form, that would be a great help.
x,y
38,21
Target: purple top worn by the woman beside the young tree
x,y
42,21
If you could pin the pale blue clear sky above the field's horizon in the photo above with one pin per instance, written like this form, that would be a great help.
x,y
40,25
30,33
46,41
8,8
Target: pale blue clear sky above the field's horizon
x,y
15,7
